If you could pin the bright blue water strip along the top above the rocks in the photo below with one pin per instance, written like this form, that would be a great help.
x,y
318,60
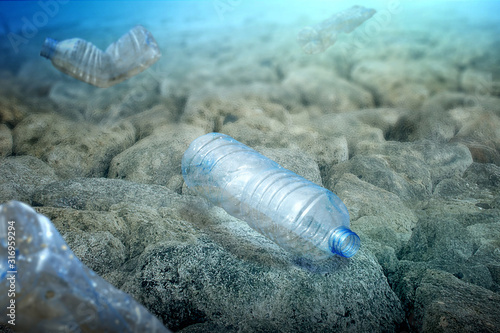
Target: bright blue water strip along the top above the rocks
x,y
24,24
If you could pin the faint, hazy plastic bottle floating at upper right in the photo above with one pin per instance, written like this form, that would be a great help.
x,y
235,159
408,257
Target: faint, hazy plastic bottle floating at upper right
x,y
323,35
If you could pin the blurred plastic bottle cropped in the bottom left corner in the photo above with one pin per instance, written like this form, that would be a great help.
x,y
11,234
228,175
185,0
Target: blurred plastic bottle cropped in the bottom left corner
x,y
53,292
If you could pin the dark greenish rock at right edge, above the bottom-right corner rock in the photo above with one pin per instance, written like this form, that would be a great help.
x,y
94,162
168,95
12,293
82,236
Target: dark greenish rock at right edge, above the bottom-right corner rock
x,y
456,234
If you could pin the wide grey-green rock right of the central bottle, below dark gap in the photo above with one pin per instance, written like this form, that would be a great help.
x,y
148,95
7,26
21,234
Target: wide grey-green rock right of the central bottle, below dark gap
x,y
410,170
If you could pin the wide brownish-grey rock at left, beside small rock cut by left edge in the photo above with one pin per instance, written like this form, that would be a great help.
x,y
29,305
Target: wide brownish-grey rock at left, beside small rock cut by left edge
x,y
72,149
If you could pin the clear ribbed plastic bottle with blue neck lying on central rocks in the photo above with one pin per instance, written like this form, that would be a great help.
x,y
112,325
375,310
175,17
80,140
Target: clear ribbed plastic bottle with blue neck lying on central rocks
x,y
300,216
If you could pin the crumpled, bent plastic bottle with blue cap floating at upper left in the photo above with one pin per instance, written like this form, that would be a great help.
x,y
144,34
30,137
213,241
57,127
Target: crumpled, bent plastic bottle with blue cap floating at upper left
x,y
131,54
